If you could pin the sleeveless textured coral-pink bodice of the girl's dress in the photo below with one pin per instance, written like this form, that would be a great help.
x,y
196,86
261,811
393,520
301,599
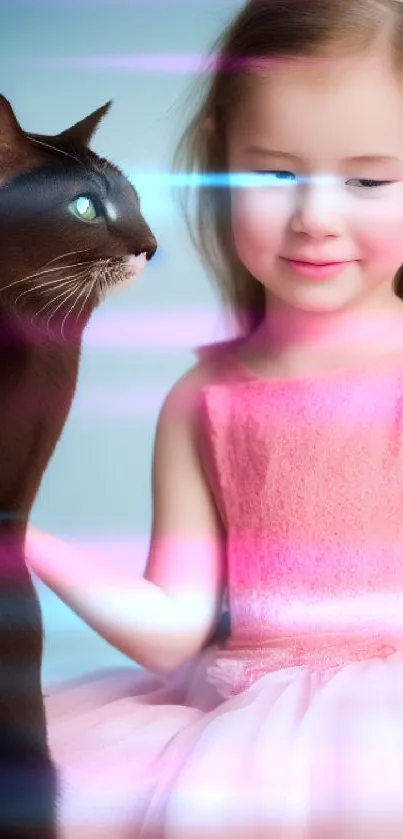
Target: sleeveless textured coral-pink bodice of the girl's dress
x,y
308,477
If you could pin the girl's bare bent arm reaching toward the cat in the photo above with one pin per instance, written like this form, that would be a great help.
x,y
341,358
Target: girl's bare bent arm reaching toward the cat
x,y
164,618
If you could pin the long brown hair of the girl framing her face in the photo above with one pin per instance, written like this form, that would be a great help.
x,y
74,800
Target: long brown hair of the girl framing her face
x,y
264,32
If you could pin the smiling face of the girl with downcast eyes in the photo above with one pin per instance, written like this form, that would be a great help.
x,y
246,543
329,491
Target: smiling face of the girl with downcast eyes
x,y
328,140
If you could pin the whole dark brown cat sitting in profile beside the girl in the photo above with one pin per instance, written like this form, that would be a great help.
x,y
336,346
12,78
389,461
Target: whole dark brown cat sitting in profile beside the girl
x,y
70,228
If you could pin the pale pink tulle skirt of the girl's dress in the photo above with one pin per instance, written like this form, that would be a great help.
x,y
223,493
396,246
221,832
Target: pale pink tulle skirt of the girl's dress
x,y
223,750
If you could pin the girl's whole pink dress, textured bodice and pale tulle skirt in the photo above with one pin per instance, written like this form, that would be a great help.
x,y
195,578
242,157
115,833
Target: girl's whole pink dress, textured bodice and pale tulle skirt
x,y
293,730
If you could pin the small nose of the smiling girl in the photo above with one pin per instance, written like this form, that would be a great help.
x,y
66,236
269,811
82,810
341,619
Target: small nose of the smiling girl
x,y
318,210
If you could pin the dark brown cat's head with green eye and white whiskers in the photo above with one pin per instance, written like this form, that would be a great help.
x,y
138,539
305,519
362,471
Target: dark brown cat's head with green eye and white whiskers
x,y
70,224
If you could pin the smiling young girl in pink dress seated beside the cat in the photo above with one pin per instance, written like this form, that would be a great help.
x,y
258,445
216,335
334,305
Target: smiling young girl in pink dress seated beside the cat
x,y
278,473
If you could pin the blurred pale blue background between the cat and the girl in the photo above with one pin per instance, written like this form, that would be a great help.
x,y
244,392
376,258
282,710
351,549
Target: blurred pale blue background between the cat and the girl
x,y
59,61
